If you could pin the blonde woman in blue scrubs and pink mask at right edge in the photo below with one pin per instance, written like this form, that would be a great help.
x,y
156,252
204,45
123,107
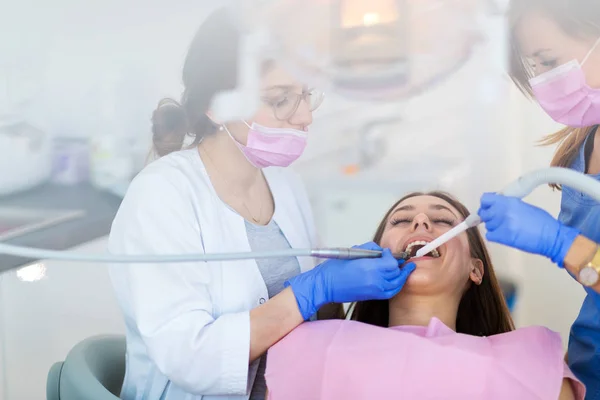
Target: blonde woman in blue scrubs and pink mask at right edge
x,y
556,59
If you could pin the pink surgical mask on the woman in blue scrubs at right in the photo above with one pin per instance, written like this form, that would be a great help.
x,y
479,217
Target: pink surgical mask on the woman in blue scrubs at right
x,y
566,97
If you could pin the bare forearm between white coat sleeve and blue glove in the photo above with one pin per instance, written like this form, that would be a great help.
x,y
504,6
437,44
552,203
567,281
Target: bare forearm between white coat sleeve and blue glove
x,y
271,321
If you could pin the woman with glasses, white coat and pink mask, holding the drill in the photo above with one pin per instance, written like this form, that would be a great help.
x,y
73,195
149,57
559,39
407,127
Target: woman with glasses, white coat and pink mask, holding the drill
x,y
200,330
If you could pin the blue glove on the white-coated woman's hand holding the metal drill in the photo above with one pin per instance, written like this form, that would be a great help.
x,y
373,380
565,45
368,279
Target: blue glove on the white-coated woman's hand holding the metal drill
x,y
343,281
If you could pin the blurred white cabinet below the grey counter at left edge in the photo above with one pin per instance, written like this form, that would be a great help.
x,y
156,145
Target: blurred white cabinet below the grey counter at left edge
x,y
40,321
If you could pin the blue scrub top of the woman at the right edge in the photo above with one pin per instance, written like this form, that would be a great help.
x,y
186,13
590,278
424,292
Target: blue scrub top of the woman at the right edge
x,y
582,212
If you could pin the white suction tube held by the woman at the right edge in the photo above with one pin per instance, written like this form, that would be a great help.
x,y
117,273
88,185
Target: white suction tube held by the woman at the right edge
x,y
521,188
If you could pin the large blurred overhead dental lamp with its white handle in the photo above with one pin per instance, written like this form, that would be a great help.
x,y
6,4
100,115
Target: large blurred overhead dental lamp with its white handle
x,y
362,50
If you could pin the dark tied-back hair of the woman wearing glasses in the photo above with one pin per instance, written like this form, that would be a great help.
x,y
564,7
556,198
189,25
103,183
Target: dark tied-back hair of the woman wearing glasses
x,y
210,67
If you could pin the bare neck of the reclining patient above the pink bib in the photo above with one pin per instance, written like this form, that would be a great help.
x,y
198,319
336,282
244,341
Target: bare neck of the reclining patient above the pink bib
x,y
410,309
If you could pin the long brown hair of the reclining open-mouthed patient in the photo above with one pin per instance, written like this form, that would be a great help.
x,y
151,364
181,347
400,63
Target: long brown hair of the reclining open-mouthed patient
x,y
482,310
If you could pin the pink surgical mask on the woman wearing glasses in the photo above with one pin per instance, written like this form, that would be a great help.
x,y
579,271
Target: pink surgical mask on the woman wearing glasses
x,y
272,147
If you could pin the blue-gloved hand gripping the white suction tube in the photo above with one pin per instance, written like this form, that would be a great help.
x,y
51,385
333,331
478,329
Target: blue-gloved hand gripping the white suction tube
x,y
512,222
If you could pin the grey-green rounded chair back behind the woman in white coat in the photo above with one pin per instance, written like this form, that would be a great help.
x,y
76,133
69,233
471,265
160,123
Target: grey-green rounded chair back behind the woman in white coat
x,y
93,370
